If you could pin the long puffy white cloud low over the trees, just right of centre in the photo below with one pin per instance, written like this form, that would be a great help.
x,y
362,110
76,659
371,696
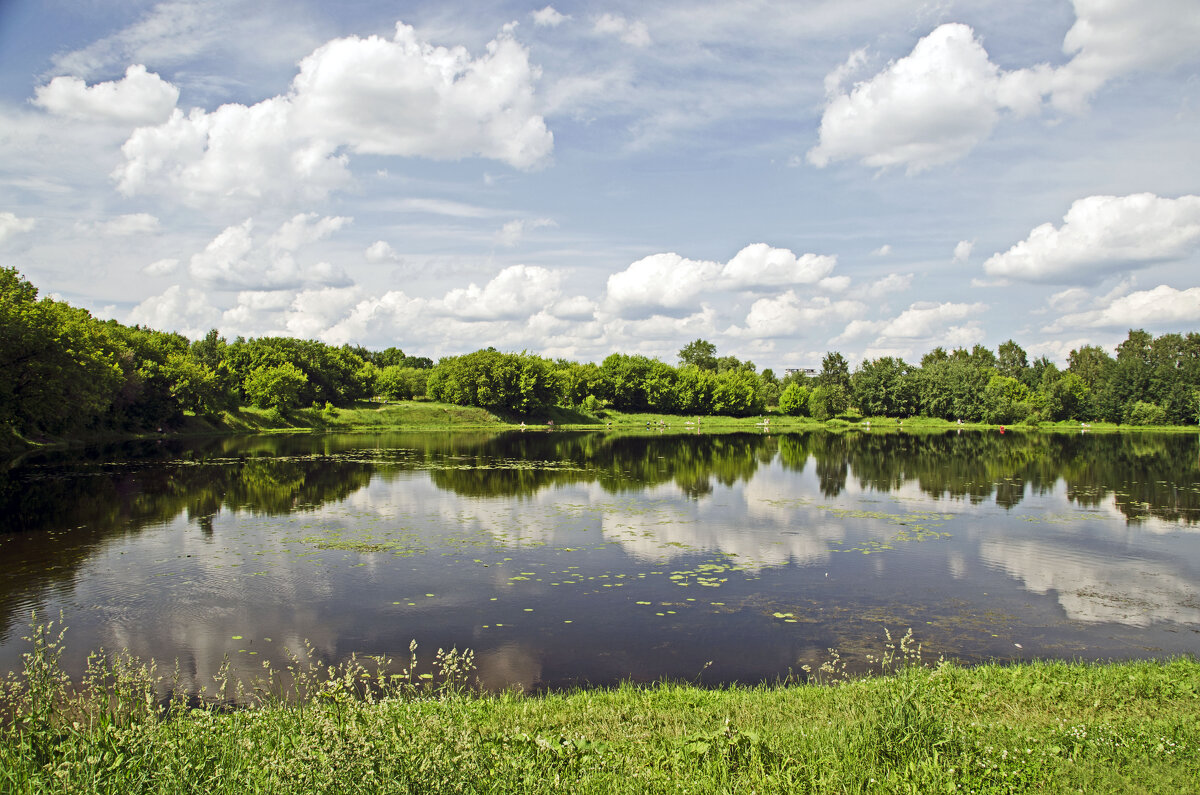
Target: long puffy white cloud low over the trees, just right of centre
x,y
669,282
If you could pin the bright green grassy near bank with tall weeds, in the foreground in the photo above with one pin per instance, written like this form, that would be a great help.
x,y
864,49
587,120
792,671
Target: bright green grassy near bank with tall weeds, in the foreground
x,y
1042,727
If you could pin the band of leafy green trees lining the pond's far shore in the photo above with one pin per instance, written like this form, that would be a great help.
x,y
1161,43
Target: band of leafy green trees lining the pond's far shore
x,y
65,372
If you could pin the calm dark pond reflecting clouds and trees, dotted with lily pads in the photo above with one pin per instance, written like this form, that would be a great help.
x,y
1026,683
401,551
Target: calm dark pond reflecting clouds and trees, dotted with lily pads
x,y
587,558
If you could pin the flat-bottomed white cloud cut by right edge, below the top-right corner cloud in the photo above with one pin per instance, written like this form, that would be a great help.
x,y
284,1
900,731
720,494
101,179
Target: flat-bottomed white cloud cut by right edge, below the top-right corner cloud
x,y
1105,235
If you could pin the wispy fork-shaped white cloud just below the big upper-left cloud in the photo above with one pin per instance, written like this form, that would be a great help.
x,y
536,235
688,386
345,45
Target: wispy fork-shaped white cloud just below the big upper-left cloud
x,y
235,260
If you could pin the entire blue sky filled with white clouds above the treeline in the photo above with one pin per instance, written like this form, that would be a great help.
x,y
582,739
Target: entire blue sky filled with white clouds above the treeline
x,y
782,180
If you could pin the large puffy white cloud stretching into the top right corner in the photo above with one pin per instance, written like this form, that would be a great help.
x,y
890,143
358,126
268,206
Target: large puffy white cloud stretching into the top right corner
x,y
935,105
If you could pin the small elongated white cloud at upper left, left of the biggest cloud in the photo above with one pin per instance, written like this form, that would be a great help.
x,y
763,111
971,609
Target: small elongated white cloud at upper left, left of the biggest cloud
x,y
140,98
